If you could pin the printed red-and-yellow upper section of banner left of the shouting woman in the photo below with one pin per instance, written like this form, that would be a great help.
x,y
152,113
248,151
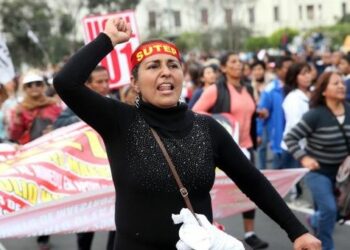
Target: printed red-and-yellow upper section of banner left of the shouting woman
x,y
65,162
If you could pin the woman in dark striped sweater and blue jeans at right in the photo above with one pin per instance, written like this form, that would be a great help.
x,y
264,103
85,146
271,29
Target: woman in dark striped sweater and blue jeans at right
x,y
324,151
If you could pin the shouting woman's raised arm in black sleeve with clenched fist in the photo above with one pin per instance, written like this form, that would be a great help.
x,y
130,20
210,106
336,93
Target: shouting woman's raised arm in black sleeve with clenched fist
x,y
69,83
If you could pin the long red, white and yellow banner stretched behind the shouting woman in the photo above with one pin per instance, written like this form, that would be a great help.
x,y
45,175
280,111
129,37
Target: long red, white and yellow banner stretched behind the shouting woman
x,y
61,183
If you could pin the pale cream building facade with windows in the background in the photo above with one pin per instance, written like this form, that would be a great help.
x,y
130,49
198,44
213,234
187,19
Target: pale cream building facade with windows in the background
x,y
262,16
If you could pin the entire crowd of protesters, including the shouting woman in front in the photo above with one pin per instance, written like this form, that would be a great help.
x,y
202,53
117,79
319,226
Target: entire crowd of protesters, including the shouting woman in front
x,y
290,107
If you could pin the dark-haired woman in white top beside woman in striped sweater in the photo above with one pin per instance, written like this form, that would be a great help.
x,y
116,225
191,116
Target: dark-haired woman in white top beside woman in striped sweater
x,y
295,104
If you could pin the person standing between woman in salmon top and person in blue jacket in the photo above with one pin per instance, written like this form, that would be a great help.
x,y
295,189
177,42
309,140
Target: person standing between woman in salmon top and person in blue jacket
x,y
259,83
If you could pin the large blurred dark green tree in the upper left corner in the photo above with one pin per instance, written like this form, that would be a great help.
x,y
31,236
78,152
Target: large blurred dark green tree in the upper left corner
x,y
39,35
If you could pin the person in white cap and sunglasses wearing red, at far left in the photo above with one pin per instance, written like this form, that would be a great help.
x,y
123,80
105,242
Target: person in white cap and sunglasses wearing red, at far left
x,y
34,113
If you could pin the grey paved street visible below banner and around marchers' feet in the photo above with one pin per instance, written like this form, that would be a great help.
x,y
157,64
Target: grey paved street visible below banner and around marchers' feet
x,y
266,229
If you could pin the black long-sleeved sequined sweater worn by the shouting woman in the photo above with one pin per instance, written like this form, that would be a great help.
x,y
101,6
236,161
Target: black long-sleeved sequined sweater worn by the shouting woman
x,y
146,192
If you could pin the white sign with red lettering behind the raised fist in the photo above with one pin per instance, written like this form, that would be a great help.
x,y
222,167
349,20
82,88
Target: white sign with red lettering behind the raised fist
x,y
118,61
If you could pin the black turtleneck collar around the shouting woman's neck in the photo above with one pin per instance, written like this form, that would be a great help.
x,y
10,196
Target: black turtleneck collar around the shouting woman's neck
x,y
174,122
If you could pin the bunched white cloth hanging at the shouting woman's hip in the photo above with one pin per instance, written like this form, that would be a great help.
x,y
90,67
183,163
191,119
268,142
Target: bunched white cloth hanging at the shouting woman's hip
x,y
205,237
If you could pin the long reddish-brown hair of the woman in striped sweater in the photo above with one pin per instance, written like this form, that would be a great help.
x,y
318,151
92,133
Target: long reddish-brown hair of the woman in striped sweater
x,y
317,98
